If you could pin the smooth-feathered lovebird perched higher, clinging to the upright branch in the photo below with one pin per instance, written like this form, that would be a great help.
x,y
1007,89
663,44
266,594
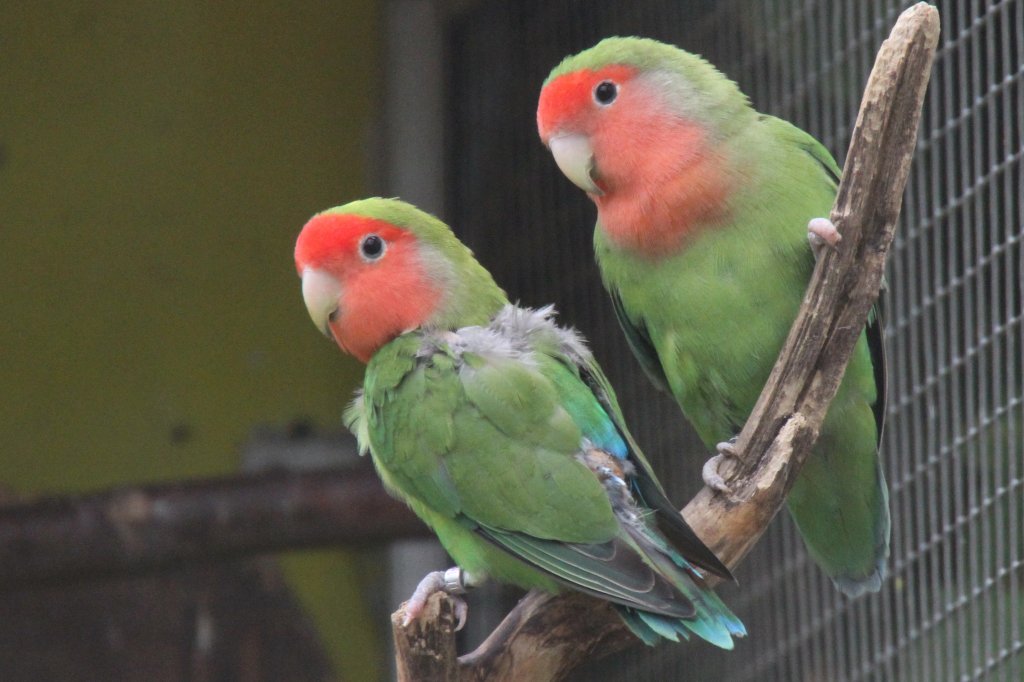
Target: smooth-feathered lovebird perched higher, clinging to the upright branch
x,y
702,204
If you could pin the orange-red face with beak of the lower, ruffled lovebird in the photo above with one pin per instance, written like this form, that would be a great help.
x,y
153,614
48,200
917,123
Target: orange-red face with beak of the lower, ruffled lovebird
x,y
364,281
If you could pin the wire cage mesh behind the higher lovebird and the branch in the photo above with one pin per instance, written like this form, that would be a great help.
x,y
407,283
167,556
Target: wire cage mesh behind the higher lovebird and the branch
x,y
952,609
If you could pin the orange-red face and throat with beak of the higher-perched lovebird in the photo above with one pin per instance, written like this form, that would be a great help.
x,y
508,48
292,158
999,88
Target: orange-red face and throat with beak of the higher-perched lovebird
x,y
652,172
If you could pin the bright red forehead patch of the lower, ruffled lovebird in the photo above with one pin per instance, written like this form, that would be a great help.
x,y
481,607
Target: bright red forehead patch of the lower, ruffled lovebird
x,y
331,239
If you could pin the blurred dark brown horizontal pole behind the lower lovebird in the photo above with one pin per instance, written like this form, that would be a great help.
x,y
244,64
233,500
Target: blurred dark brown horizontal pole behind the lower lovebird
x,y
136,530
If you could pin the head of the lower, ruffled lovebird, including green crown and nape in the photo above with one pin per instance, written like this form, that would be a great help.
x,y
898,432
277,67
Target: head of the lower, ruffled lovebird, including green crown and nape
x,y
375,269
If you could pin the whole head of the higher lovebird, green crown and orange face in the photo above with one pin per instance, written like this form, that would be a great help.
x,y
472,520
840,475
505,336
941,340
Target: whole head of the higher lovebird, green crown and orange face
x,y
632,120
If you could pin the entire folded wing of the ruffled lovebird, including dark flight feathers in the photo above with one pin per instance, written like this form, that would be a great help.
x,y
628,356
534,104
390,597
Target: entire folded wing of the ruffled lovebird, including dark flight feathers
x,y
485,439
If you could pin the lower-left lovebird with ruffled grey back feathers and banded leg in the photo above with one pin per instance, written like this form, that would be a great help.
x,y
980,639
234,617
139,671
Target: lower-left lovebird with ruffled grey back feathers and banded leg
x,y
498,429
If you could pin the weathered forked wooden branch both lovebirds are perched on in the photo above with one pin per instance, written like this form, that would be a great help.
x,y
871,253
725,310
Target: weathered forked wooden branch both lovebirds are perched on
x,y
547,636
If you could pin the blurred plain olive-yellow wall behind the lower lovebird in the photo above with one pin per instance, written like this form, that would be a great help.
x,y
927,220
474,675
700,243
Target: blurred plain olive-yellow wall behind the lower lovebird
x,y
157,160
